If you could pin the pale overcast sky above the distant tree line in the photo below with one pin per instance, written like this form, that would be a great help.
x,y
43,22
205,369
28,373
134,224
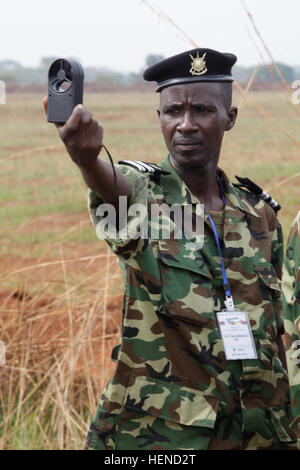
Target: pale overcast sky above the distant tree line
x,y
119,34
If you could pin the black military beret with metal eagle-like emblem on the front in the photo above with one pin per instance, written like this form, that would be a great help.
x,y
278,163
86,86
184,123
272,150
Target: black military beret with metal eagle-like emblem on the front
x,y
196,65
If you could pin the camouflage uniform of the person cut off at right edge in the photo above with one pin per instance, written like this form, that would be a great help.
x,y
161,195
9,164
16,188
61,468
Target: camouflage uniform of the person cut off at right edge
x,y
291,298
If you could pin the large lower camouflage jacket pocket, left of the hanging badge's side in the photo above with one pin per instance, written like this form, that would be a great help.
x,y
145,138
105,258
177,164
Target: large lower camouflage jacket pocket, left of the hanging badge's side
x,y
161,415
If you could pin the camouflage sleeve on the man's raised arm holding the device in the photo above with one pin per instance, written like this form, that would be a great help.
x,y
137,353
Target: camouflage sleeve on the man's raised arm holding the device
x,y
127,241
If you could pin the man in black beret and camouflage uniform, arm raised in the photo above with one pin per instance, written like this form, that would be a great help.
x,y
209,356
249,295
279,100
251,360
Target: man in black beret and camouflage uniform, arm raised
x,y
174,387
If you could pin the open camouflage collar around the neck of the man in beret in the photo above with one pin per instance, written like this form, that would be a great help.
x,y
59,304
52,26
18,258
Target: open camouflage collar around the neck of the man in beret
x,y
177,192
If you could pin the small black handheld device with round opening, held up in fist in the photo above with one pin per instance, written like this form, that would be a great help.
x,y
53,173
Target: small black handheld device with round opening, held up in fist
x,y
65,89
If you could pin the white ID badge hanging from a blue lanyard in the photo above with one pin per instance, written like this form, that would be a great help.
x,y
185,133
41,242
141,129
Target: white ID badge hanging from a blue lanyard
x,y
236,335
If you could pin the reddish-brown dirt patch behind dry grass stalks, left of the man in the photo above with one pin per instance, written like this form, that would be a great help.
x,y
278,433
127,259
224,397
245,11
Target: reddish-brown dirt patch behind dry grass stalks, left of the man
x,y
67,298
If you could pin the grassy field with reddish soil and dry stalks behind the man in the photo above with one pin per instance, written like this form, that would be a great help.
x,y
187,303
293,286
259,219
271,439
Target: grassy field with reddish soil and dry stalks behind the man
x,y
60,288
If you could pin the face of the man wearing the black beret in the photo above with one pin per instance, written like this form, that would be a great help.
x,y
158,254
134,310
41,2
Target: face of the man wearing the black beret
x,y
193,118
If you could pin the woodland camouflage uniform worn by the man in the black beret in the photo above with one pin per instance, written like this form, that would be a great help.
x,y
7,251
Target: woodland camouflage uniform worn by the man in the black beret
x,y
173,388
